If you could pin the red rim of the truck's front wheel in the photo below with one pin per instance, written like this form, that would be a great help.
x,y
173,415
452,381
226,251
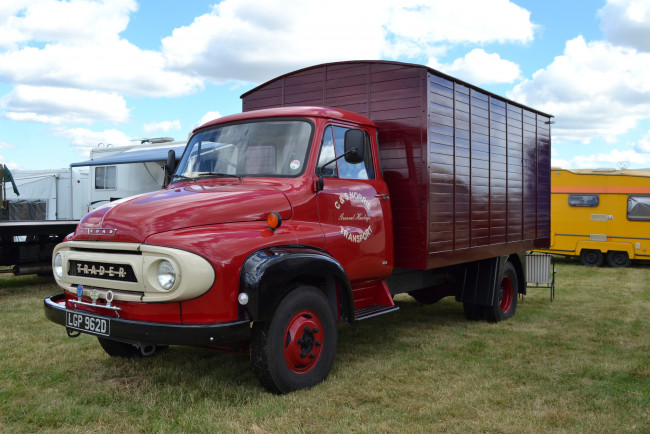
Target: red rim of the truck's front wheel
x,y
303,341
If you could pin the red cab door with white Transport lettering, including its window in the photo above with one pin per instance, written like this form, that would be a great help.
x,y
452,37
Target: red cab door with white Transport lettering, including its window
x,y
354,209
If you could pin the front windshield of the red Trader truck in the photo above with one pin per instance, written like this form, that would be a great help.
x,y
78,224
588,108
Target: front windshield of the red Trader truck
x,y
256,148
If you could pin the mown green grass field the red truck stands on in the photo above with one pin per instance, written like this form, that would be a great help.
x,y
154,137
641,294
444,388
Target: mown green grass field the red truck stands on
x,y
578,364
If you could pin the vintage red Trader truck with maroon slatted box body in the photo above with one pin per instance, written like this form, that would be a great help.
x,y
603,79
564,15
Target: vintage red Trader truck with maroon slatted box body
x,y
339,186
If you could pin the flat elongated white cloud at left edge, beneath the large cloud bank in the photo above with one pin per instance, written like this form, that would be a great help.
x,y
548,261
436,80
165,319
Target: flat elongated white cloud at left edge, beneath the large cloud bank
x,y
57,106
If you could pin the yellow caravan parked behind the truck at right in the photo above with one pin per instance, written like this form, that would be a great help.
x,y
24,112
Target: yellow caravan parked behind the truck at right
x,y
600,214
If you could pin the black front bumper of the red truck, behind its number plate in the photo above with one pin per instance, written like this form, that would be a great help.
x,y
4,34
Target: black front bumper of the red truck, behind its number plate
x,y
158,333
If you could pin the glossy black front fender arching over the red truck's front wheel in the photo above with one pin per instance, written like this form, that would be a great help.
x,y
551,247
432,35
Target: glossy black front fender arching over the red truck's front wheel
x,y
269,274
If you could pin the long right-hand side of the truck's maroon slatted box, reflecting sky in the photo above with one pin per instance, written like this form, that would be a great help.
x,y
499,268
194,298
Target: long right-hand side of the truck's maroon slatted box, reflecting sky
x,y
489,162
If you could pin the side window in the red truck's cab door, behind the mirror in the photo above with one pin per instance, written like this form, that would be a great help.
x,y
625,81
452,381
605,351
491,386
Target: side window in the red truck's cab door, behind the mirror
x,y
332,146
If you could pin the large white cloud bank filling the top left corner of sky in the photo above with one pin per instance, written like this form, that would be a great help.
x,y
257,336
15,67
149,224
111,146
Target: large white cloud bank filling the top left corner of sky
x,y
83,50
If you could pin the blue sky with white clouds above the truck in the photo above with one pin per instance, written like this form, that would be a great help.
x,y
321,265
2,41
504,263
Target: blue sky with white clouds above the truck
x,y
79,74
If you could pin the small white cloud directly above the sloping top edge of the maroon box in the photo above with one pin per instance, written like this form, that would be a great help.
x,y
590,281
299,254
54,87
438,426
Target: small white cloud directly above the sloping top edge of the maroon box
x,y
480,68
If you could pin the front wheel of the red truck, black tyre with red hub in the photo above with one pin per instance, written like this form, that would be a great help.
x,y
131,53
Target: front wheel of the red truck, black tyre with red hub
x,y
296,348
